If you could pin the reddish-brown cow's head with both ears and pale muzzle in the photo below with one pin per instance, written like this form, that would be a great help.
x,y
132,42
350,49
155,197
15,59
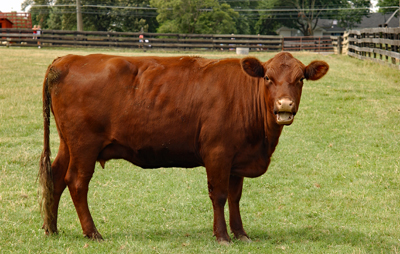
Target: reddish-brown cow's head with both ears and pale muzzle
x,y
283,78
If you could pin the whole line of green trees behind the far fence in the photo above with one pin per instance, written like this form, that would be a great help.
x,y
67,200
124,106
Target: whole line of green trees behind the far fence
x,y
196,16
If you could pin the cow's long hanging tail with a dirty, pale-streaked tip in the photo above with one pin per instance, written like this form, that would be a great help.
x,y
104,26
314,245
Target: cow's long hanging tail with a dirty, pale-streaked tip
x,y
46,199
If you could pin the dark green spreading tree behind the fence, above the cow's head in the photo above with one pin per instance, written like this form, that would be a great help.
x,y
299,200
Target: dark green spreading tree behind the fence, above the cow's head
x,y
304,14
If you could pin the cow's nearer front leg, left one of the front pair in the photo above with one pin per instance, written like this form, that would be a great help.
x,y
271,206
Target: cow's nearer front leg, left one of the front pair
x,y
218,185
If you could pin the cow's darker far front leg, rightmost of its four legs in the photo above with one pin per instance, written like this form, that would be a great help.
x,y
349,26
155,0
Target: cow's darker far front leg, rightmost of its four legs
x,y
235,220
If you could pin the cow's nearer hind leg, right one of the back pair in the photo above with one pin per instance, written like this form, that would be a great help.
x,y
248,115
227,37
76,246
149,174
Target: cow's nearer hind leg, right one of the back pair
x,y
79,174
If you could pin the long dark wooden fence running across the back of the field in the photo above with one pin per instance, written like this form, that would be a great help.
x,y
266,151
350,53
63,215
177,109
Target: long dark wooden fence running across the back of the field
x,y
61,38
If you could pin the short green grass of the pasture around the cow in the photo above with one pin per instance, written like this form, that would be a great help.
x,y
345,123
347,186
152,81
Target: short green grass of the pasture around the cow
x,y
333,185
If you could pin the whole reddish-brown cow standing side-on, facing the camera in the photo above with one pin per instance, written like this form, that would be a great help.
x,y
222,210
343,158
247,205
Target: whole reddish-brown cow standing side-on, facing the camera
x,y
226,115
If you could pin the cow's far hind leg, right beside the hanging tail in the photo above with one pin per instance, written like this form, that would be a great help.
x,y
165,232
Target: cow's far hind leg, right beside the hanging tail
x,y
59,169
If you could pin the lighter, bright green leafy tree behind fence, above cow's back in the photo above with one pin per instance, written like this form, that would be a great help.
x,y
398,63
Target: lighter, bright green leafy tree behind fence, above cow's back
x,y
195,16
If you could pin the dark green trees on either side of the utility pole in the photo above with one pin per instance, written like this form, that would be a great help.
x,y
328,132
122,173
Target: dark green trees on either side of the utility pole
x,y
63,17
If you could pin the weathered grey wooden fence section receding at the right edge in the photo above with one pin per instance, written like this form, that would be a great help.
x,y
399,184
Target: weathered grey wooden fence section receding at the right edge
x,y
380,45
